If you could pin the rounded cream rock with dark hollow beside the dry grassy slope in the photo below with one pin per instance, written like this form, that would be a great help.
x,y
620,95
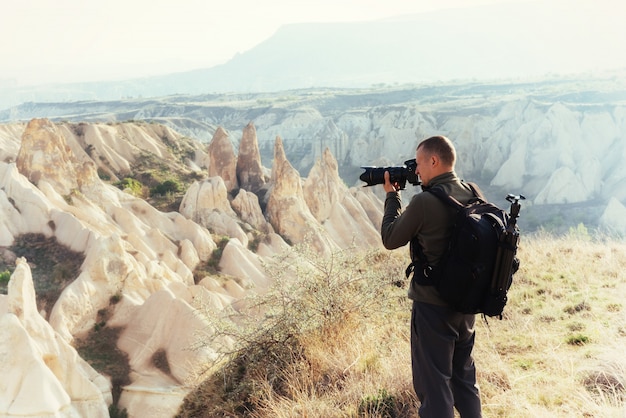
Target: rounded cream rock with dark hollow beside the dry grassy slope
x,y
166,364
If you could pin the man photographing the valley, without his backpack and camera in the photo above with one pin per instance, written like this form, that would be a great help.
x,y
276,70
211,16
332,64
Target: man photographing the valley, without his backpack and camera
x,y
444,375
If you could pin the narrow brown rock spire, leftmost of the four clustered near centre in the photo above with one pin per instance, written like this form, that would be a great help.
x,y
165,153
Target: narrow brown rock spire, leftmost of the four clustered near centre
x,y
221,160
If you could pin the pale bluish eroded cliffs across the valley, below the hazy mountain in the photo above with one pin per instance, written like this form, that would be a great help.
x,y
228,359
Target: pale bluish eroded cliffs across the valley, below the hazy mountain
x,y
559,142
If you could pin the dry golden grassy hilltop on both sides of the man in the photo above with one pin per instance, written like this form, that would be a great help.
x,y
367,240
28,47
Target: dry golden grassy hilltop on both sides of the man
x,y
558,352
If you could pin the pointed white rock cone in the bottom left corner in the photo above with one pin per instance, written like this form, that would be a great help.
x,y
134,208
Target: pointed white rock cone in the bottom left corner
x,y
42,374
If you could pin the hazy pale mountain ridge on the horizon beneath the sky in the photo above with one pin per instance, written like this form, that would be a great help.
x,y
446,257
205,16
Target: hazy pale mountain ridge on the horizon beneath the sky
x,y
505,41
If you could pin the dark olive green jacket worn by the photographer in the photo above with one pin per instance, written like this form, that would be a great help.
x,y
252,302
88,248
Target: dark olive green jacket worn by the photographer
x,y
426,221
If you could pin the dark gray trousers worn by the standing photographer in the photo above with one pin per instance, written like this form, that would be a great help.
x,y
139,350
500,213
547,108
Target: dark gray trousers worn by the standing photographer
x,y
444,375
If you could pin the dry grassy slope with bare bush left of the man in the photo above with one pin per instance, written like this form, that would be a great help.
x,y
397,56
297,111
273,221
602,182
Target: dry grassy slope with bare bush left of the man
x,y
321,342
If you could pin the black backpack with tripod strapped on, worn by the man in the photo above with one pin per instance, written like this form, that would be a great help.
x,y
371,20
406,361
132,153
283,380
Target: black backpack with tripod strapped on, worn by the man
x,y
477,269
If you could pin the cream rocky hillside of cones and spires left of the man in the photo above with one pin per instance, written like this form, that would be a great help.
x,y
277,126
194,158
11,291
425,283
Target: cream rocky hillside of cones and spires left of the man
x,y
79,215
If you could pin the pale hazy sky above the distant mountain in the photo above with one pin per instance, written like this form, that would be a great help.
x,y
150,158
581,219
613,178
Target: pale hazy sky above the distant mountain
x,y
46,41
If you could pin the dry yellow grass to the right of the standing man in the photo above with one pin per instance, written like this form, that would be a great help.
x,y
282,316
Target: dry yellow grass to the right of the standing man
x,y
559,351
